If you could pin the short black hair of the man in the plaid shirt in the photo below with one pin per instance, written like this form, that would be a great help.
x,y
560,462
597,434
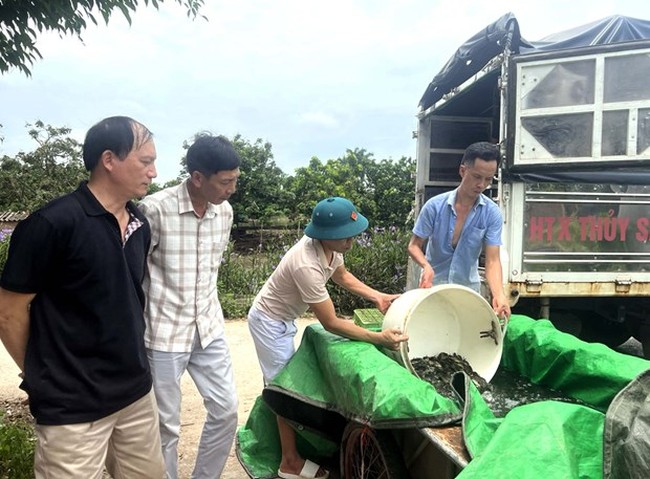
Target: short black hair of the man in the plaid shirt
x,y
210,154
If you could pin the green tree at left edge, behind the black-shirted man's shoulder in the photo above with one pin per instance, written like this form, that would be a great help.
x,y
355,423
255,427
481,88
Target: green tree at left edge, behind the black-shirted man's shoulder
x,y
29,180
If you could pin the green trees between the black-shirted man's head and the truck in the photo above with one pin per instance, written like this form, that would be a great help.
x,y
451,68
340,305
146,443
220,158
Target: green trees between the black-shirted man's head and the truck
x,y
382,190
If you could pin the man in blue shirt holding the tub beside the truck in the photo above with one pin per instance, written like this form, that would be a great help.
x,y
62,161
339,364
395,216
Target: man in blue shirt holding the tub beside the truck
x,y
458,224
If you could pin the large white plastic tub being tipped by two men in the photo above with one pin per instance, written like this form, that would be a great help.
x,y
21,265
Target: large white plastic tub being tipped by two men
x,y
447,318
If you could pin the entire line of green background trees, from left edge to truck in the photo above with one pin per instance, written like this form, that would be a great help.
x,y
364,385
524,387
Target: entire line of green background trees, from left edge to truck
x,y
382,190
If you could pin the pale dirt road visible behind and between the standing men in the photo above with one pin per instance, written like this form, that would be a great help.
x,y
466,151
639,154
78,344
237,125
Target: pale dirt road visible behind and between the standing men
x,y
248,378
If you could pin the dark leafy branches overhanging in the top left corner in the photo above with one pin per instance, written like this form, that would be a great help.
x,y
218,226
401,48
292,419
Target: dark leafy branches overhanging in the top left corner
x,y
22,20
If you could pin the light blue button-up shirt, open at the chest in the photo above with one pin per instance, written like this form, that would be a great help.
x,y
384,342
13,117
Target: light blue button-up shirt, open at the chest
x,y
436,222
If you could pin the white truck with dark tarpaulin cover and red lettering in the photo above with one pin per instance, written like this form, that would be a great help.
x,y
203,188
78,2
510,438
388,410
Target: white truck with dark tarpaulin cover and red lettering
x,y
571,114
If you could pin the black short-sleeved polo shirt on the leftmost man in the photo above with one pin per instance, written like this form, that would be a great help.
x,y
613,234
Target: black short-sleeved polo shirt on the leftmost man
x,y
85,354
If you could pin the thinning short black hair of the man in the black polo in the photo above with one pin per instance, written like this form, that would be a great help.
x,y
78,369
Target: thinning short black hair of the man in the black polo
x,y
119,134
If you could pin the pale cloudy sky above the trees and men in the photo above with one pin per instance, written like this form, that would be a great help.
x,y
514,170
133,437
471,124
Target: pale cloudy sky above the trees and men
x,y
312,78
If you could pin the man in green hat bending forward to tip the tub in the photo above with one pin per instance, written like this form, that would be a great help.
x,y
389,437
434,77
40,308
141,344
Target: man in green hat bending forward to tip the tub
x,y
298,284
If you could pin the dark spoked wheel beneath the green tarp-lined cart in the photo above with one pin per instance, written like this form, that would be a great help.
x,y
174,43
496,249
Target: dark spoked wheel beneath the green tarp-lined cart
x,y
368,453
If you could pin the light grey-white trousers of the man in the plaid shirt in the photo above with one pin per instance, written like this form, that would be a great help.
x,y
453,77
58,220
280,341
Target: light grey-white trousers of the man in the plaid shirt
x,y
212,373
